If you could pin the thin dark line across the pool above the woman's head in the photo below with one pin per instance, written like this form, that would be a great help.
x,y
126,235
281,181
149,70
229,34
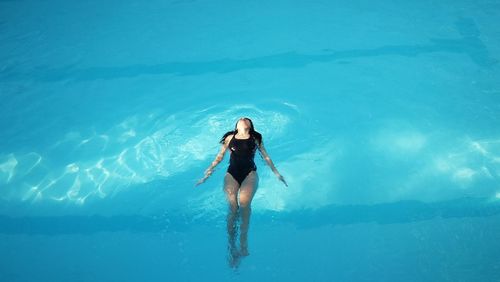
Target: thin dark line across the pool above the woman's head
x,y
469,44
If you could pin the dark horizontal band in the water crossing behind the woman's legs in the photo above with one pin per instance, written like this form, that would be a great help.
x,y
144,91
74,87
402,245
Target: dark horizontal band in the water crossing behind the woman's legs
x,y
386,213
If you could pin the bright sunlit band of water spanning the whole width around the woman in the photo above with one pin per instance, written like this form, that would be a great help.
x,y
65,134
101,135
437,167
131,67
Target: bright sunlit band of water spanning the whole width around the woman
x,y
399,161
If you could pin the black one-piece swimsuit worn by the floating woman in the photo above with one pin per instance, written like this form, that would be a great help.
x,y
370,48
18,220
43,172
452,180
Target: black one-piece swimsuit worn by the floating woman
x,y
241,161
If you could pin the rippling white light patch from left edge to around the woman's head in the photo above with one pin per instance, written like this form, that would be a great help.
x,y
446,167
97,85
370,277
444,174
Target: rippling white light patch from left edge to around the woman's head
x,y
137,150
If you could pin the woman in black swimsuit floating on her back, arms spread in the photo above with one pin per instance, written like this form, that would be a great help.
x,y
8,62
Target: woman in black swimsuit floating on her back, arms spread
x,y
240,180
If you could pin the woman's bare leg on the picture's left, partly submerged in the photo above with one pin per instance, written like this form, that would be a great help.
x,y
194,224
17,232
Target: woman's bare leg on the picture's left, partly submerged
x,y
231,190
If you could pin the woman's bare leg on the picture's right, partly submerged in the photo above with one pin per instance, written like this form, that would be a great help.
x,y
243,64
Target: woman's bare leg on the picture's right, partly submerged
x,y
247,191
